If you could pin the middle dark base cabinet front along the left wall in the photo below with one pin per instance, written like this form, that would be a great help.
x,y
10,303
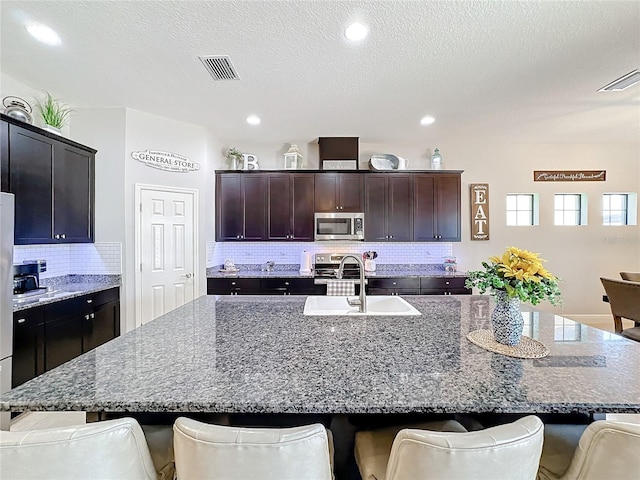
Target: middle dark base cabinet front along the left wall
x,y
63,333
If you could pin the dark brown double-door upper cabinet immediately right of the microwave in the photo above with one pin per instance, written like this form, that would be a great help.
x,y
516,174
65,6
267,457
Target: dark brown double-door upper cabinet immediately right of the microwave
x,y
388,207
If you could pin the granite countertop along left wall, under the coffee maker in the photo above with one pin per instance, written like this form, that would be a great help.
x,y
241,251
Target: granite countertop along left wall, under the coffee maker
x,y
68,287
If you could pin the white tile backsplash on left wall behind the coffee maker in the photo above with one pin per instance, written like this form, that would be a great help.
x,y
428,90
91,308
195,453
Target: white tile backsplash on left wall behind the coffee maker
x,y
74,258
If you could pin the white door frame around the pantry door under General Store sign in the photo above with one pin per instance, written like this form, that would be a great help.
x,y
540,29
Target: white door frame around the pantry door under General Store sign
x,y
140,187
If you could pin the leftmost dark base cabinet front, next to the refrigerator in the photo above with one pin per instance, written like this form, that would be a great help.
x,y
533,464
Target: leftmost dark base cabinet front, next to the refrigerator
x,y
28,345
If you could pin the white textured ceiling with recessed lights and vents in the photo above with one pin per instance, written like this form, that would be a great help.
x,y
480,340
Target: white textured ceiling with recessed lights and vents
x,y
520,71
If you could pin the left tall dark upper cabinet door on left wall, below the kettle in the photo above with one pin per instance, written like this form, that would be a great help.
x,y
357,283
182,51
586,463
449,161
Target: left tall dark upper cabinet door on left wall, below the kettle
x,y
31,181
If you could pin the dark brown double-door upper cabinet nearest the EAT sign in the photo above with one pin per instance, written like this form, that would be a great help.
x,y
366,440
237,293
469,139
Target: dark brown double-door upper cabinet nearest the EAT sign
x,y
436,207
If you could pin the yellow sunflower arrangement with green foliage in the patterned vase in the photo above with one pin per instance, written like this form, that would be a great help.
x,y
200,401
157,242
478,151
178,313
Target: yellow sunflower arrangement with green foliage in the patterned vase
x,y
520,274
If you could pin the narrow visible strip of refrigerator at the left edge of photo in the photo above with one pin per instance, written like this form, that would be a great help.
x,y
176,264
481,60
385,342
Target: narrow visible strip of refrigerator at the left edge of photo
x,y
6,293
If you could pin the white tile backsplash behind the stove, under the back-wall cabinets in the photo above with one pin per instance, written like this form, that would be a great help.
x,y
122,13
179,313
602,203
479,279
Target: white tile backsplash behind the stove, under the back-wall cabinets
x,y
286,253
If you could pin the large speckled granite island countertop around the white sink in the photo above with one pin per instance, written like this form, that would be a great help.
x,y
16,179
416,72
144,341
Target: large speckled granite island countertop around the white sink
x,y
261,354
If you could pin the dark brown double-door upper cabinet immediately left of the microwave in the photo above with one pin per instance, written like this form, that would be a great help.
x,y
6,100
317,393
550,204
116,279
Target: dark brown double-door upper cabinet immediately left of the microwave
x,y
290,206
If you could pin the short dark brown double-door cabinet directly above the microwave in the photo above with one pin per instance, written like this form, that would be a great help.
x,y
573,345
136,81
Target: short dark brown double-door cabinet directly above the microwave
x,y
340,192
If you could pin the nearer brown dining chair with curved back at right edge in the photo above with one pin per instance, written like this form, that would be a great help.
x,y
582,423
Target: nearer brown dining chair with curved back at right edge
x,y
624,299
